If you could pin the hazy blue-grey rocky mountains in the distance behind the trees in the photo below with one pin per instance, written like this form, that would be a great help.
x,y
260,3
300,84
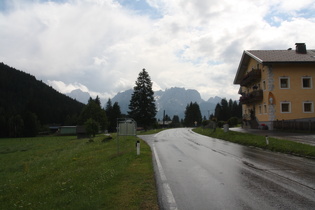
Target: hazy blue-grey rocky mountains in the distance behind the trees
x,y
173,101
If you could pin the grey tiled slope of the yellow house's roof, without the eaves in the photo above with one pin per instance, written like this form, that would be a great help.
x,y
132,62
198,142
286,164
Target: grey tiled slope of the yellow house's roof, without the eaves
x,y
281,56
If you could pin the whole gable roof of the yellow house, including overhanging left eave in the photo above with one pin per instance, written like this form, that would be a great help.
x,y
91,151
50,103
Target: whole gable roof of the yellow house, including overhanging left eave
x,y
266,57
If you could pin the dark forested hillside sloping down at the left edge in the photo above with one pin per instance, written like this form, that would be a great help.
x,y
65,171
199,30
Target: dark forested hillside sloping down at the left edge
x,y
26,103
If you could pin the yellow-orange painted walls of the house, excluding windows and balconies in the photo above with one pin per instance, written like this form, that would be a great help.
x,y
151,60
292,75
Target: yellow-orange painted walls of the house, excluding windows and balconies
x,y
295,94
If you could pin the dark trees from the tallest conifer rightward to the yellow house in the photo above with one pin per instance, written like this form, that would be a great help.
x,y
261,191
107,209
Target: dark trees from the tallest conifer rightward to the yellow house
x,y
143,109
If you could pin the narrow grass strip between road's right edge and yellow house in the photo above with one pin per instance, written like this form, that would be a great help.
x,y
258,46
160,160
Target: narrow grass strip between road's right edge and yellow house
x,y
278,145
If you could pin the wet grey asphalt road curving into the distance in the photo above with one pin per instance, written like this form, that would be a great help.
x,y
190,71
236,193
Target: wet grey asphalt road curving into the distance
x,y
198,172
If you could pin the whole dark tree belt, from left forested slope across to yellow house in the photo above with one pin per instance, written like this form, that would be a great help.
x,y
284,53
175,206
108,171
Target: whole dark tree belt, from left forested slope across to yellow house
x,y
29,106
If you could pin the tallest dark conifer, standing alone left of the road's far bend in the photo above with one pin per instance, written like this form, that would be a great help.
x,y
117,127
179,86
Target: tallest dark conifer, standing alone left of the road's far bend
x,y
142,104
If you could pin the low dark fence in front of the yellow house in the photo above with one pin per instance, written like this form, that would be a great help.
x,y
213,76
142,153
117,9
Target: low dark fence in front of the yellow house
x,y
307,125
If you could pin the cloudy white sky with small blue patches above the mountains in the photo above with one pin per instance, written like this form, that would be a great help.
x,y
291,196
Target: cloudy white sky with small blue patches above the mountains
x,y
101,46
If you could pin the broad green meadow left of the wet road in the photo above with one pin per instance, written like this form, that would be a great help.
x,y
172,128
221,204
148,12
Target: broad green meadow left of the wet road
x,y
67,173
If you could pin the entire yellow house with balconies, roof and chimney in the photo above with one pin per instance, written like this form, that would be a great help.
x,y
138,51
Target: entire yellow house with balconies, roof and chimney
x,y
276,85
